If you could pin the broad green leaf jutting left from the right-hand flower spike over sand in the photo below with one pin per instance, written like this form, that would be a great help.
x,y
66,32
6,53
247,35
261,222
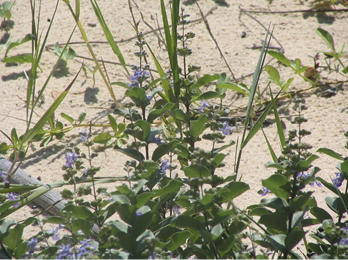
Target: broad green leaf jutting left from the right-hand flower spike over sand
x,y
279,185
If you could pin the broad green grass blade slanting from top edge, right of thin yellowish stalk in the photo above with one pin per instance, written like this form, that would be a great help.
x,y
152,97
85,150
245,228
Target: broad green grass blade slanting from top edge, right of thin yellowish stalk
x,y
108,34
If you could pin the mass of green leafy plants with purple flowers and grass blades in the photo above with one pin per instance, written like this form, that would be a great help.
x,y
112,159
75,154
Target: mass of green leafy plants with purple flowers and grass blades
x,y
173,203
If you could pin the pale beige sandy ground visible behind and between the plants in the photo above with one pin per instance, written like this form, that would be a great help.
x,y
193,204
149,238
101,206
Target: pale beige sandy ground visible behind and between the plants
x,y
295,31
